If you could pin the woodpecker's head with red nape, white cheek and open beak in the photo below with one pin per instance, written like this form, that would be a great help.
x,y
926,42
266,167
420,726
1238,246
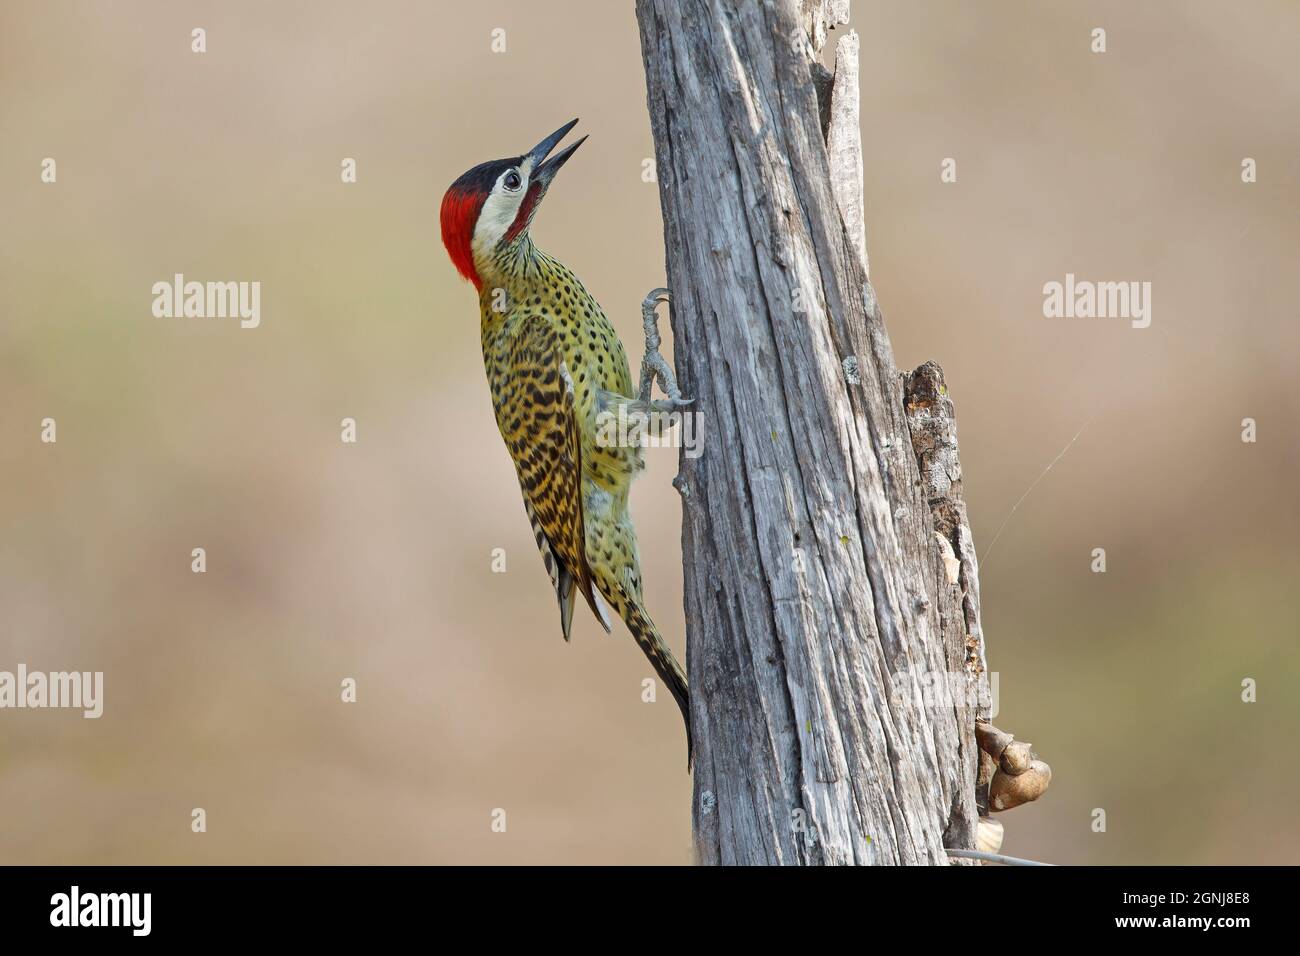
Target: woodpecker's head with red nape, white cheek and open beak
x,y
493,204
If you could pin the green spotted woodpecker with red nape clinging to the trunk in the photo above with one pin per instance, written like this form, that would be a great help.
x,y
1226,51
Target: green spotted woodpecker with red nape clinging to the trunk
x,y
556,366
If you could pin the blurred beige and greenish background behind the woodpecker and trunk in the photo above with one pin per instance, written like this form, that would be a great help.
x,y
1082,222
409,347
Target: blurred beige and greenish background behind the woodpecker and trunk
x,y
375,561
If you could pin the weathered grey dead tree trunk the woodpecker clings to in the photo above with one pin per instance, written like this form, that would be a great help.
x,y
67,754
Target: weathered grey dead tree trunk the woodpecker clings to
x,y
820,605
